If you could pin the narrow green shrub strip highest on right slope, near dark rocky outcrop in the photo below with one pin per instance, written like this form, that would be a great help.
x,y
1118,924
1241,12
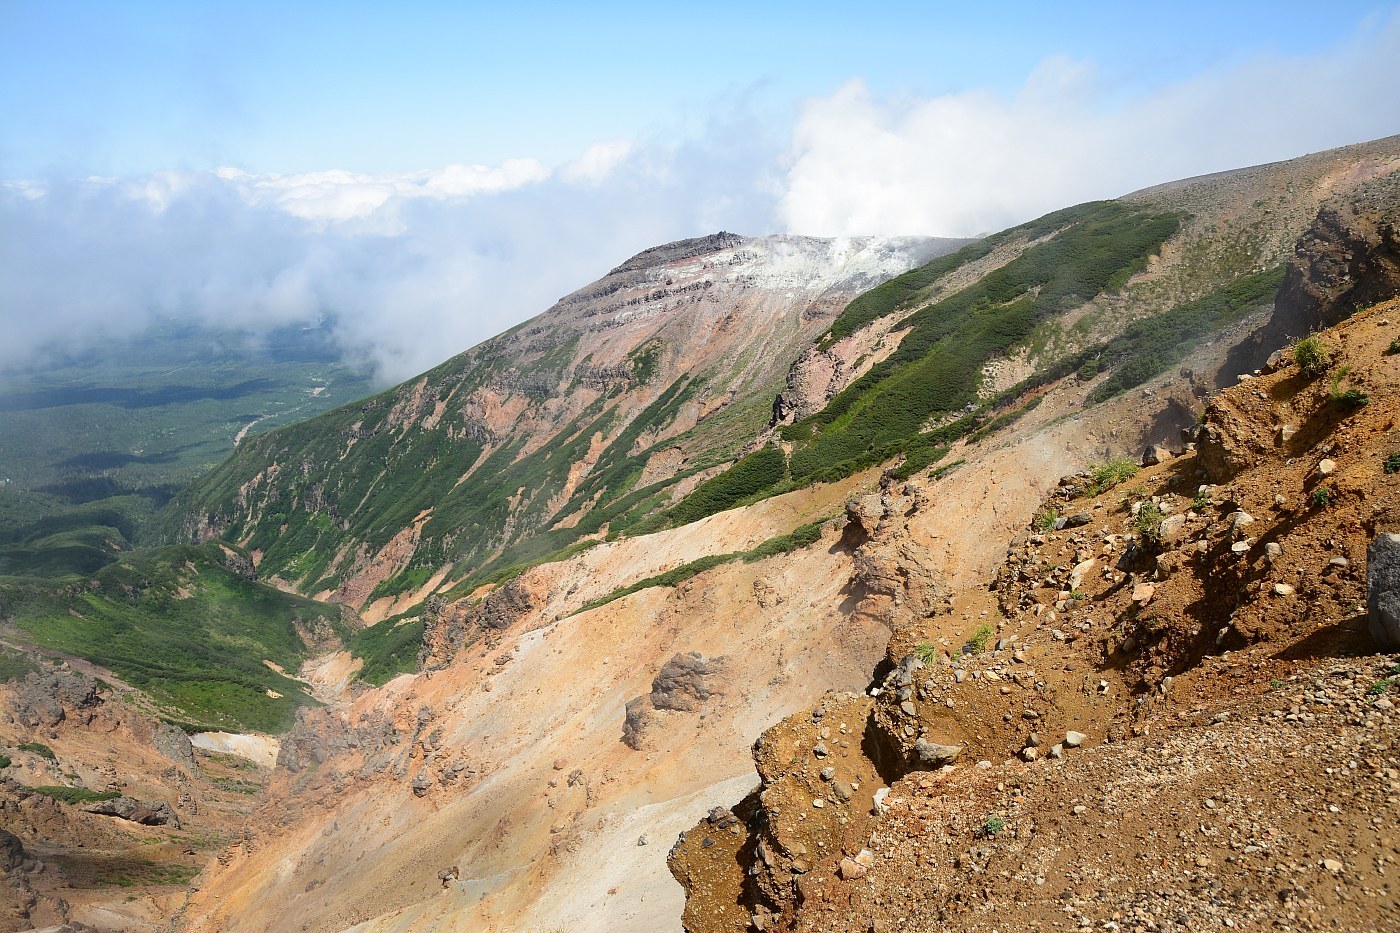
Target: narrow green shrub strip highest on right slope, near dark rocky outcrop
x,y
1150,347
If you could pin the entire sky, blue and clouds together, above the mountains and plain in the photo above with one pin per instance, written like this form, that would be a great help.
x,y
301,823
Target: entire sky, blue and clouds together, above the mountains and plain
x,y
428,174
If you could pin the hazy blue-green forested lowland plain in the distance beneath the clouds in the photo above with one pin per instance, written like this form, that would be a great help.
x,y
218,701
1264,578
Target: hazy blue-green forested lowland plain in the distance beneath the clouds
x,y
92,449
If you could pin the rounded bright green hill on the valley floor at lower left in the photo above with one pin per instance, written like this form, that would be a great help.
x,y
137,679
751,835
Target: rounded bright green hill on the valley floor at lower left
x,y
187,630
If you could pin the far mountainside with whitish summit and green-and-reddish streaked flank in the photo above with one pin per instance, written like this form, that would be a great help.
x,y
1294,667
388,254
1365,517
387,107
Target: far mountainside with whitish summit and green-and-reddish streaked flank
x,y
590,417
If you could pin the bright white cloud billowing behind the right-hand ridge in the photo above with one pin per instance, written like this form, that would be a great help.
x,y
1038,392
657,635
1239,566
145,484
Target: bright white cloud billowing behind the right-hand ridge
x,y
975,162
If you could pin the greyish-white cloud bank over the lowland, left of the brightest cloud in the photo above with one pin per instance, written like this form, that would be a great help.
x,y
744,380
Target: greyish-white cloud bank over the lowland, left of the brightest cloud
x,y
408,270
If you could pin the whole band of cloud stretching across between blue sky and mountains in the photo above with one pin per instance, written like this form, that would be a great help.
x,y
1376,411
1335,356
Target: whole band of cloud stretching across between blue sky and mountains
x,y
414,268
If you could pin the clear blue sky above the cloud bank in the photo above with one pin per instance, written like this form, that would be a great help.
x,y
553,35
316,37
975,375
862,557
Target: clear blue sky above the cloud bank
x,y
117,89
